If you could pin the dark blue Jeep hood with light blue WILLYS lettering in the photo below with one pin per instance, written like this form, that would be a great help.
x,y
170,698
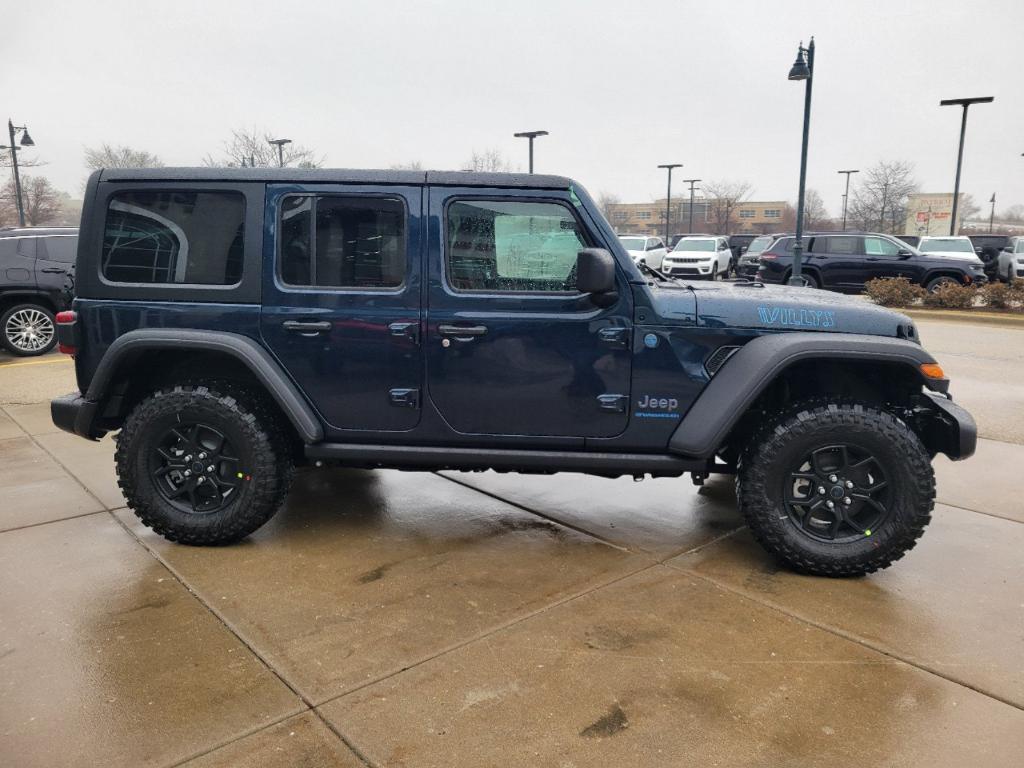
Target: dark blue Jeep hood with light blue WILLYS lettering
x,y
752,306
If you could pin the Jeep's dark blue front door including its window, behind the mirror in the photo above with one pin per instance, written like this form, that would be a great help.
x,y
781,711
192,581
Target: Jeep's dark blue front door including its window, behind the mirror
x,y
513,348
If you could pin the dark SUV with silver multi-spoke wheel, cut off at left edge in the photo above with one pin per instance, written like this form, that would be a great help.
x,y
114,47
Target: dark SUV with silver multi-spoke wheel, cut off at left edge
x,y
37,279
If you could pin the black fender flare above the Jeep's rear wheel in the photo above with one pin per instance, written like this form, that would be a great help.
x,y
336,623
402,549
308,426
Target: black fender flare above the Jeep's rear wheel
x,y
246,351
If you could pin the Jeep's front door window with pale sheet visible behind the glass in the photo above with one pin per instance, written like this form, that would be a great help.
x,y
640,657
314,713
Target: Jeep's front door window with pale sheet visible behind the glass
x,y
513,246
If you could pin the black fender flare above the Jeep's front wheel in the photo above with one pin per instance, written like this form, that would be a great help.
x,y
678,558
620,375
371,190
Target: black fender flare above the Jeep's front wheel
x,y
748,372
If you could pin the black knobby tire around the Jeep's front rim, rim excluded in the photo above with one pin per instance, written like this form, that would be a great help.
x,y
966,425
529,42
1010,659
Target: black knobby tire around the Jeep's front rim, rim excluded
x,y
765,464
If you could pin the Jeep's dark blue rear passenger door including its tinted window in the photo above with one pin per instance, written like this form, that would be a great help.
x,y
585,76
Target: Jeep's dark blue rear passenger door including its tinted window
x,y
342,301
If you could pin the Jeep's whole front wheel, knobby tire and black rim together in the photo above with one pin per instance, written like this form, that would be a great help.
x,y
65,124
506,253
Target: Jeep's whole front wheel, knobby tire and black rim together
x,y
836,489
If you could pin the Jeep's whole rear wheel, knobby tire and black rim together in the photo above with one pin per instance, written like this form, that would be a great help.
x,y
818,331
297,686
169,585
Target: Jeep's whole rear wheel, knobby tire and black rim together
x,y
202,466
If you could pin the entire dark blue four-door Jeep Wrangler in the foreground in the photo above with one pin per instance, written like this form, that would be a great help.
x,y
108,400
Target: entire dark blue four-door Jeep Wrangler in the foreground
x,y
235,323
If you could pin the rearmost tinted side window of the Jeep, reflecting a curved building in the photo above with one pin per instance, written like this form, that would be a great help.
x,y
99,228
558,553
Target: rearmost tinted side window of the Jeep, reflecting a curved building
x,y
175,237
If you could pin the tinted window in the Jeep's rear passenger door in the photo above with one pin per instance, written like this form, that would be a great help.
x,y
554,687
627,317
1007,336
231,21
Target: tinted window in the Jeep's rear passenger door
x,y
358,242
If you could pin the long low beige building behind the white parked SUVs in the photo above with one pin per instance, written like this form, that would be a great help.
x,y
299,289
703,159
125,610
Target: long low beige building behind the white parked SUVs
x,y
649,219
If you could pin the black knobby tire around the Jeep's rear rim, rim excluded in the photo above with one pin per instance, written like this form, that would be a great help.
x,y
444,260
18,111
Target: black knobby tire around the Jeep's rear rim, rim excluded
x,y
259,438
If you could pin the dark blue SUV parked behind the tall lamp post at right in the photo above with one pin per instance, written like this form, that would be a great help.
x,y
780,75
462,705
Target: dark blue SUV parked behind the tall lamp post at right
x,y
845,262
